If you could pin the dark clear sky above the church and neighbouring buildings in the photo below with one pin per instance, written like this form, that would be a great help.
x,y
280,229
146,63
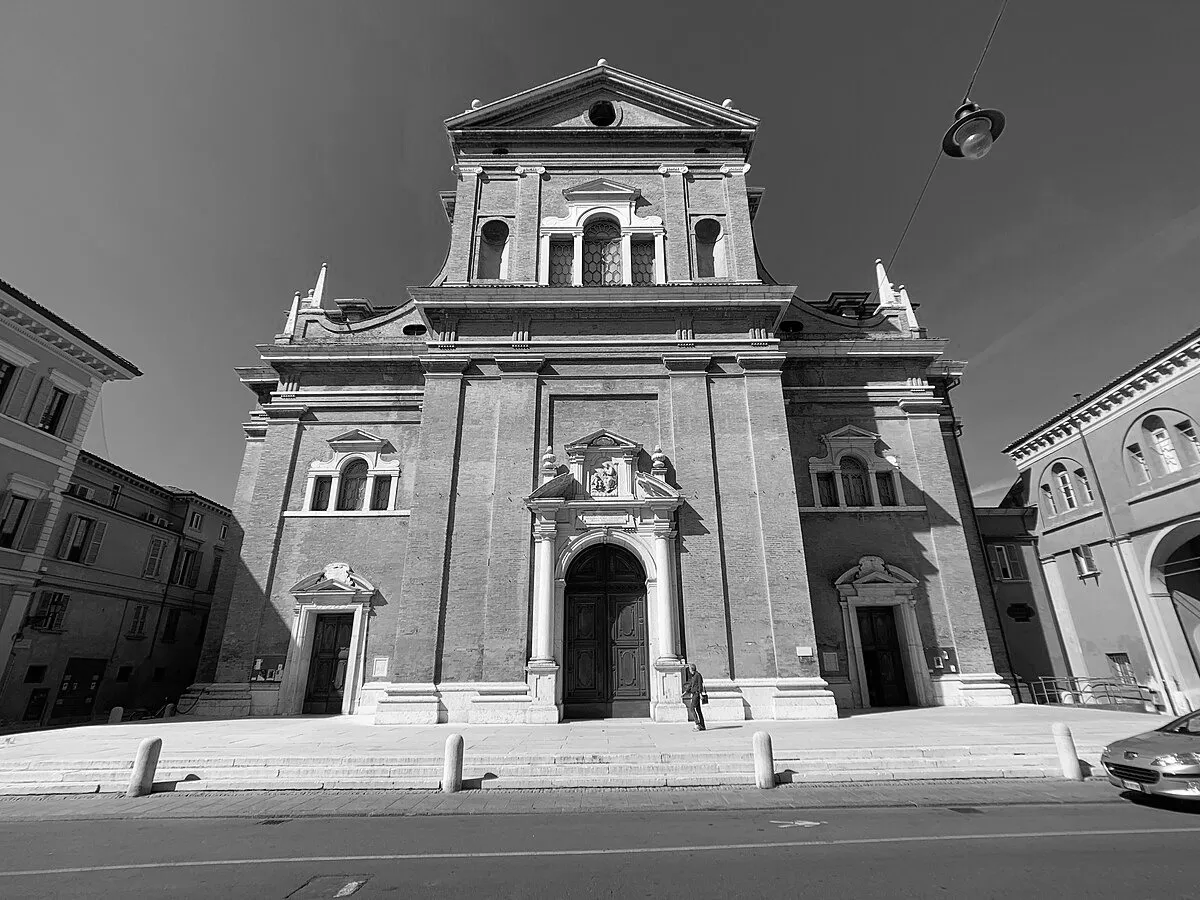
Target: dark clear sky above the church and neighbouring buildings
x,y
172,172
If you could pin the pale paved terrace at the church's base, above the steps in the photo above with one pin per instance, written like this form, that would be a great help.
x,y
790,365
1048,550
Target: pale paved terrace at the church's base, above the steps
x,y
358,737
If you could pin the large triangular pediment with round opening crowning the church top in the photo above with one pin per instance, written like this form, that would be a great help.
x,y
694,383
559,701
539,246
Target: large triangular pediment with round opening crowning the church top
x,y
565,104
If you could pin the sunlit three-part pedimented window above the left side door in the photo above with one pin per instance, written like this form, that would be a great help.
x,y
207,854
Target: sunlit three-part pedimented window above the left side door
x,y
356,482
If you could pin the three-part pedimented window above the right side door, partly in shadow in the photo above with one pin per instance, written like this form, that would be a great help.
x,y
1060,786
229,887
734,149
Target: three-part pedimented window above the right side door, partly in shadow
x,y
853,475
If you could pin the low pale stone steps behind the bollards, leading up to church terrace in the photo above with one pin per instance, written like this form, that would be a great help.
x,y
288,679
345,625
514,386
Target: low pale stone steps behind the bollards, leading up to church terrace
x,y
695,769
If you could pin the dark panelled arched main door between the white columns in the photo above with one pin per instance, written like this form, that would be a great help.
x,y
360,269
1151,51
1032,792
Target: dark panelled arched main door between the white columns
x,y
604,649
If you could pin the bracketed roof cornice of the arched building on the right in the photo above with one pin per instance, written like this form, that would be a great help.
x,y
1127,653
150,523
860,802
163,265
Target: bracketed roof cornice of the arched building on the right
x,y
1163,371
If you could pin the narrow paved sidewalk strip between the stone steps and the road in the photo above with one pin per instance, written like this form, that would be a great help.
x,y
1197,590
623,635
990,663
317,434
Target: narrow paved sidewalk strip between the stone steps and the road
x,y
275,806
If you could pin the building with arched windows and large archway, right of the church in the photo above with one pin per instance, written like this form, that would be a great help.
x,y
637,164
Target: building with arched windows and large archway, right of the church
x,y
1117,484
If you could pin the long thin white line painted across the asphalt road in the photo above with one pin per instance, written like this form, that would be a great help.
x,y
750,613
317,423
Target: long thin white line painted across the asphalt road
x,y
596,853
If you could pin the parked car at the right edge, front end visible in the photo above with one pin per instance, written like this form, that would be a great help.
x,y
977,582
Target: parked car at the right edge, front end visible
x,y
1165,763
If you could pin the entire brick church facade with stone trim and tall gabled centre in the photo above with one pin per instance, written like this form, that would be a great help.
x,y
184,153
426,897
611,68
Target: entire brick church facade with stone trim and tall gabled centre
x,y
602,443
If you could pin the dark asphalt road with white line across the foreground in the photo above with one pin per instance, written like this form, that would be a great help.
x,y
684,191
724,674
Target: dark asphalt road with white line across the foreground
x,y
1093,851
